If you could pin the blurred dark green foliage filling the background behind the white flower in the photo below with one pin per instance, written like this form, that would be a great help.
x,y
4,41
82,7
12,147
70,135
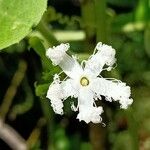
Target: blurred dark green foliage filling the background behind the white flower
x,y
123,24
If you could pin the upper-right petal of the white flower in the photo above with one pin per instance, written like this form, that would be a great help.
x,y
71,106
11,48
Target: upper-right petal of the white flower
x,y
105,55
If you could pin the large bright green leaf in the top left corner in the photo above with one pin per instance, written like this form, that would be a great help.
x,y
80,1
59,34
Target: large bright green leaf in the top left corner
x,y
17,18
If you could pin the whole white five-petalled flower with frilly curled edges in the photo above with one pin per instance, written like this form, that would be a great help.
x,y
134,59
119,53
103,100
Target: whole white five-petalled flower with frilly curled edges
x,y
85,83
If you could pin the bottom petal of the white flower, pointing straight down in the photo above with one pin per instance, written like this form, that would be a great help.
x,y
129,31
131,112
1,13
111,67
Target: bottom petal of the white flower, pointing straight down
x,y
87,112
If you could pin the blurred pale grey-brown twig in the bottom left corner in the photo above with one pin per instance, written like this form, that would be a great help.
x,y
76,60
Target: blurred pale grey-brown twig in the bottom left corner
x,y
11,137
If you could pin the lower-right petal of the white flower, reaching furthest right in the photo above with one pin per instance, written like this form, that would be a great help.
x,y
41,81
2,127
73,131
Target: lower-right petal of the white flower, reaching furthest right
x,y
113,90
